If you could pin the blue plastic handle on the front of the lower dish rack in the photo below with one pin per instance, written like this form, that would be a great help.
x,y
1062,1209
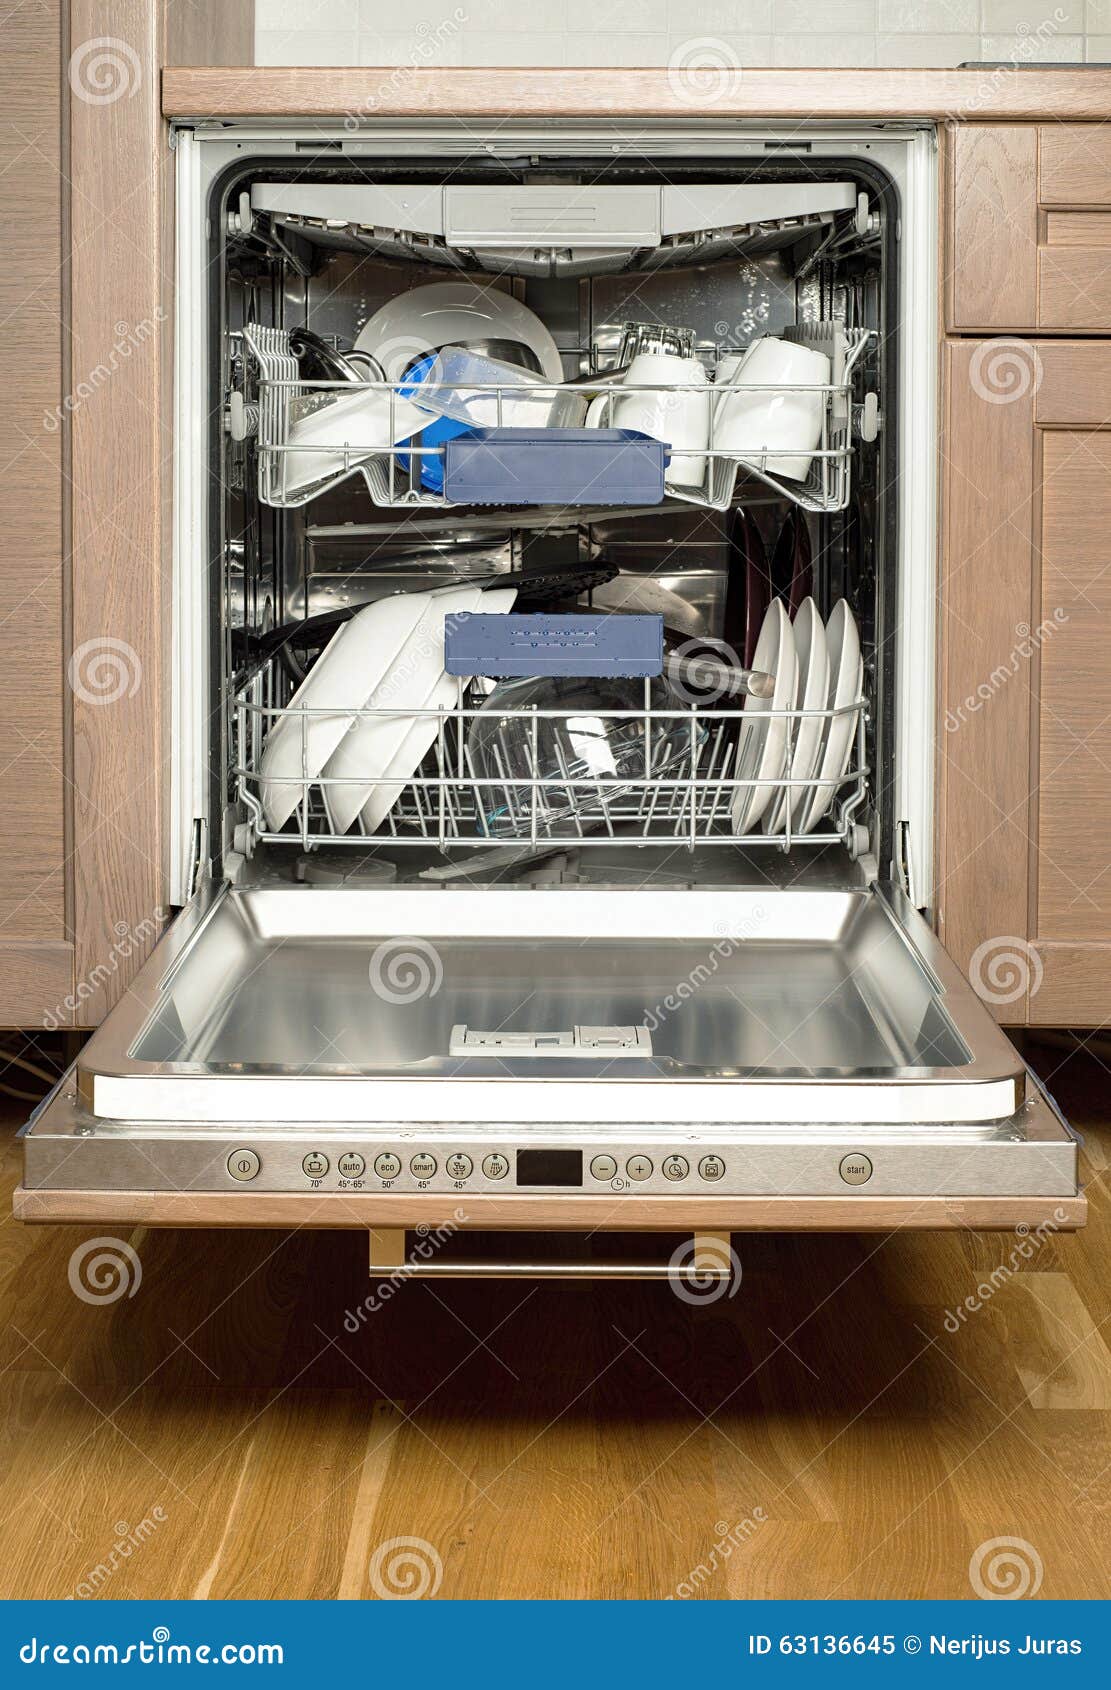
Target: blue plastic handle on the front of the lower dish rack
x,y
586,643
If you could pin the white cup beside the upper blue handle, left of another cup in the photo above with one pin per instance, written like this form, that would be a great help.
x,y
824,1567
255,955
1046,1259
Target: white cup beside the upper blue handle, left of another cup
x,y
679,413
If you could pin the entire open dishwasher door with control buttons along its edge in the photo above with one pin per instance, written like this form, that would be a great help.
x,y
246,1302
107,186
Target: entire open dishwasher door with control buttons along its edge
x,y
569,1057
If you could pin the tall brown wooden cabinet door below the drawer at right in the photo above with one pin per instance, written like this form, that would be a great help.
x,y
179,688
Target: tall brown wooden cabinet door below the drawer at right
x,y
1026,679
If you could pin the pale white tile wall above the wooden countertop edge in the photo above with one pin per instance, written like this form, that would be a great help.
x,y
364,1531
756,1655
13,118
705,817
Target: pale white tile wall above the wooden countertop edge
x,y
791,33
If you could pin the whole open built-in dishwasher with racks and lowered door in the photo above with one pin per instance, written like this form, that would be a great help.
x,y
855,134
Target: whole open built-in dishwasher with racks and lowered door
x,y
520,1000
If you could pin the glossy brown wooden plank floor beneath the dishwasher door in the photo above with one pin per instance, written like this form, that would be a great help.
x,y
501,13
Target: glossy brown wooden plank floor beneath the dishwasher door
x,y
821,1434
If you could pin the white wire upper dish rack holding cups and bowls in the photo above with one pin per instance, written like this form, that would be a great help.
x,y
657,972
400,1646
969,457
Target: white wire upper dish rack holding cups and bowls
x,y
276,405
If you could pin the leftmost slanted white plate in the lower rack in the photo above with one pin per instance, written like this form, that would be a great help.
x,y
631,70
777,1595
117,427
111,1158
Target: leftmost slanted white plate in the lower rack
x,y
353,663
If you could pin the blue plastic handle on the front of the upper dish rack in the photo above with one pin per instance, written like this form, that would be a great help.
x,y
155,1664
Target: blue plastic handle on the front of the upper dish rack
x,y
555,467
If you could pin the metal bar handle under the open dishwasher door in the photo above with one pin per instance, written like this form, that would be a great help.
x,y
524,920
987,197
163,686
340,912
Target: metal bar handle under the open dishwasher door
x,y
708,1258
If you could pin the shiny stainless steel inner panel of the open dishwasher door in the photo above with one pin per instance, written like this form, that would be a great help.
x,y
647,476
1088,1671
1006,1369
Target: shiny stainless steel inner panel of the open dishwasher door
x,y
763,1006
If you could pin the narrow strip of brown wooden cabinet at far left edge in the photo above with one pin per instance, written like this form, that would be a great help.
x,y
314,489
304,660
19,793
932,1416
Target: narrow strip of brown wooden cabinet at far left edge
x,y
36,956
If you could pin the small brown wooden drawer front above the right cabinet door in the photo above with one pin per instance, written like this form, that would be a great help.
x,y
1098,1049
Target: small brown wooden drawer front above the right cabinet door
x,y
1031,229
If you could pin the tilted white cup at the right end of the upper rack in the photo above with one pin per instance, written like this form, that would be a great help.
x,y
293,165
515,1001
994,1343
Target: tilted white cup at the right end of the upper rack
x,y
763,427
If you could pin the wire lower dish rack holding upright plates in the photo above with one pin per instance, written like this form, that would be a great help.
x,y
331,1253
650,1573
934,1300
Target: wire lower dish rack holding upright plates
x,y
681,782
